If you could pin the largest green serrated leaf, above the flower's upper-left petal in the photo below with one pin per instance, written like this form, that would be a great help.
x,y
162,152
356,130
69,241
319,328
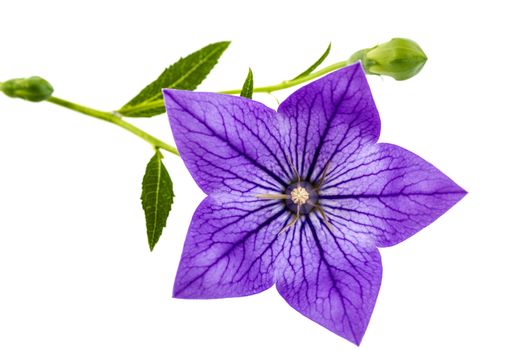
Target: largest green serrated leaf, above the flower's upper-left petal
x,y
185,74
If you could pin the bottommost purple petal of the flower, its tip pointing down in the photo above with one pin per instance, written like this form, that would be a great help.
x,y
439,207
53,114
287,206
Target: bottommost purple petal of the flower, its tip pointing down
x,y
331,276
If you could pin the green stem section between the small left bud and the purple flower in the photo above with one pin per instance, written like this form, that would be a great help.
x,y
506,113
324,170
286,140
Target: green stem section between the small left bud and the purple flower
x,y
111,118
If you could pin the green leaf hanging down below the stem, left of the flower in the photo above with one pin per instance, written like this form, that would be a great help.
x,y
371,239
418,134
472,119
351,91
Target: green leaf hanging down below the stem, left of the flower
x,y
157,198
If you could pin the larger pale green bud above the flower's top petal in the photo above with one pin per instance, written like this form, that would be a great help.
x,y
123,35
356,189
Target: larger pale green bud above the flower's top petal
x,y
399,58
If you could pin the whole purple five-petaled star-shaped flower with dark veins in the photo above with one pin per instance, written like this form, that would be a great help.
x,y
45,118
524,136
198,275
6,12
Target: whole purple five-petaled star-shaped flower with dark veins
x,y
301,197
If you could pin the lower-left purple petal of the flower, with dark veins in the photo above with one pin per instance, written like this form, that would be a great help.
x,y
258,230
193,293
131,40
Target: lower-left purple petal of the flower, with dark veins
x,y
230,248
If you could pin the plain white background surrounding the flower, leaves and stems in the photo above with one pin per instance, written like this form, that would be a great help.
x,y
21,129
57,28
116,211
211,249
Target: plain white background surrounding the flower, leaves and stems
x,y
75,269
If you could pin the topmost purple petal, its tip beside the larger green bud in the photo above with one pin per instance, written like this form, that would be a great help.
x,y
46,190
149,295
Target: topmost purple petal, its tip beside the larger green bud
x,y
333,114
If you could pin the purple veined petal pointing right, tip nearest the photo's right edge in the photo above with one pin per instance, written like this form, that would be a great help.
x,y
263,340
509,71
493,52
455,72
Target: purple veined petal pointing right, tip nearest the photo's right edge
x,y
388,192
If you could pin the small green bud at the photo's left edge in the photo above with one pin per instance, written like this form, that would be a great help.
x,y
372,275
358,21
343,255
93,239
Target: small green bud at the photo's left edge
x,y
33,89
